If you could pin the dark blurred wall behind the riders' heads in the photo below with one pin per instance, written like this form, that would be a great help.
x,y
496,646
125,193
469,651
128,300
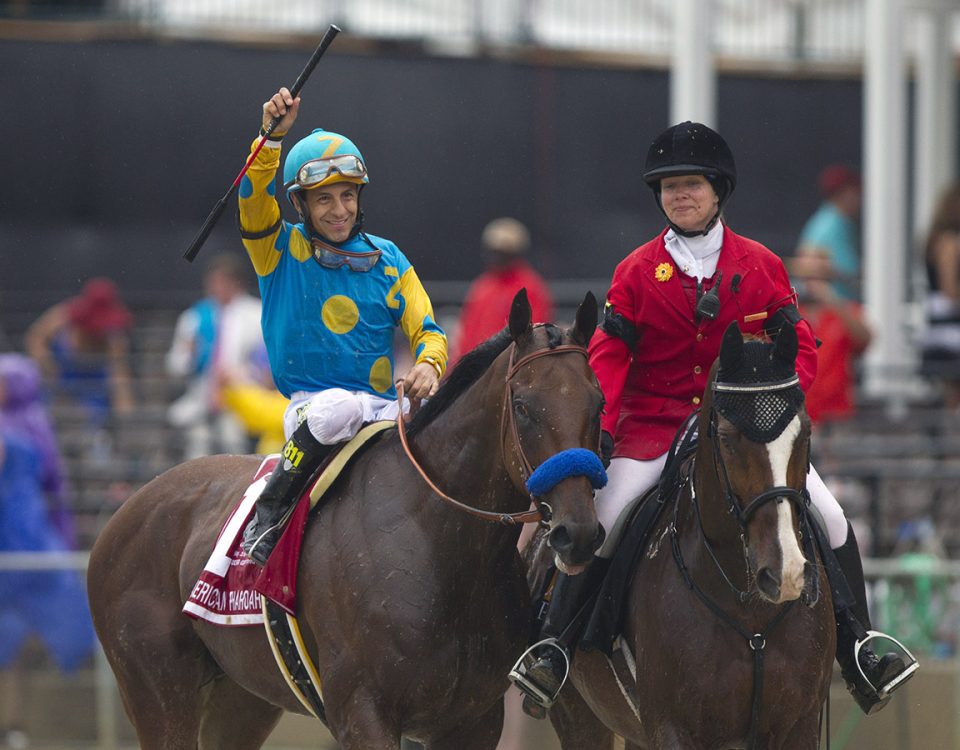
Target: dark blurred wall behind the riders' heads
x,y
116,151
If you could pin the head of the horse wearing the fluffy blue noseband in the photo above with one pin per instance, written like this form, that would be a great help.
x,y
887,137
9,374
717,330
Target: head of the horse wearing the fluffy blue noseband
x,y
552,424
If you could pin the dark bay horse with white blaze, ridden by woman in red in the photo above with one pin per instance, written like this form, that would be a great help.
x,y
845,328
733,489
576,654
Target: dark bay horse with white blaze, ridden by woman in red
x,y
734,527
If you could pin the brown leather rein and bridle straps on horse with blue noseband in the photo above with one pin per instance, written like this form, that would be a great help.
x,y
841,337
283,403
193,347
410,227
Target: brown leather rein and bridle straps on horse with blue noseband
x,y
507,423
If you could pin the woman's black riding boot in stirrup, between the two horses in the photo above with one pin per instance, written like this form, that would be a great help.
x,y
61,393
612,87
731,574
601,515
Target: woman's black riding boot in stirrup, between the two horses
x,y
543,668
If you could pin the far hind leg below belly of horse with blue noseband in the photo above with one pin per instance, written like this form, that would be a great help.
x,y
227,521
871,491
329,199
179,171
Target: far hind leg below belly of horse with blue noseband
x,y
233,718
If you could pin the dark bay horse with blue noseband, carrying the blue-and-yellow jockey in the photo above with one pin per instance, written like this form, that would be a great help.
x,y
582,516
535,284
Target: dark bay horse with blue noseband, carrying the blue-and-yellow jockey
x,y
412,610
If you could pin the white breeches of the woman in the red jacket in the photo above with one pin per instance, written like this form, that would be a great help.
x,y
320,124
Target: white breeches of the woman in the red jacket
x,y
628,478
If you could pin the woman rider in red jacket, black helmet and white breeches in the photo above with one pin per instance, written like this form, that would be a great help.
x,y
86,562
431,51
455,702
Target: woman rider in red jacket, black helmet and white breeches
x,y
669,303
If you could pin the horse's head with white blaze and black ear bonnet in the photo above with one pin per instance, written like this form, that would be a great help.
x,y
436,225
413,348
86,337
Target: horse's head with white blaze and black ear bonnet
x,y
758,432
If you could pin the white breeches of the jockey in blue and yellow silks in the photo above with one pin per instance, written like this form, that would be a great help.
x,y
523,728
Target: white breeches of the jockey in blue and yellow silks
x,y
335,415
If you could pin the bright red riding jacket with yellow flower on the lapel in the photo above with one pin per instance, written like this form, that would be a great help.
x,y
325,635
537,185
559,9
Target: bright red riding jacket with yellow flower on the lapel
x,y
651,389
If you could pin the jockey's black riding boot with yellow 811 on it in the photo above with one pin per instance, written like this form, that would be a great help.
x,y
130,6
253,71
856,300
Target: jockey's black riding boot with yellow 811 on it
x,y
302,454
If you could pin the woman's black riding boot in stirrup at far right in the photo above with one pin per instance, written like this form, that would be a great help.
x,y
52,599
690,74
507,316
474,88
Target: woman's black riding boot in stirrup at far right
x,y
872,682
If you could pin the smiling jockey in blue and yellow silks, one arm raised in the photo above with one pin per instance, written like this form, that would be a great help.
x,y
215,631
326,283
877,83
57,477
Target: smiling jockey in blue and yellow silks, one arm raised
x,y
332,297
